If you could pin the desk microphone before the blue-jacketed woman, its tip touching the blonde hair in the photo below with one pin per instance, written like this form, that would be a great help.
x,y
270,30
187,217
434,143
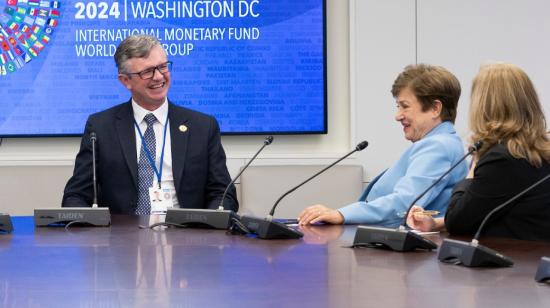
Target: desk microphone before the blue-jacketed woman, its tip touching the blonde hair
x,y
401,239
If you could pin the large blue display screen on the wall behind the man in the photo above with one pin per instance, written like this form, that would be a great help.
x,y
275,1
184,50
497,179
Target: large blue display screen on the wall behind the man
x,y
258,66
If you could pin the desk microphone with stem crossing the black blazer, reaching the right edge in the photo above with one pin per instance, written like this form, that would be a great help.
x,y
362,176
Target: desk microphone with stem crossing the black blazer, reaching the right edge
x,y
474,255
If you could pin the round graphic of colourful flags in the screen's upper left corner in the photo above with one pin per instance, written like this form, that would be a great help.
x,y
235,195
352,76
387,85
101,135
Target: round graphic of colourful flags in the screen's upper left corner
x,y
36,19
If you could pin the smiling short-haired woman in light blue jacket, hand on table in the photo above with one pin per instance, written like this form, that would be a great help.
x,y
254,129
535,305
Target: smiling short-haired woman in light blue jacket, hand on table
x,y
427,98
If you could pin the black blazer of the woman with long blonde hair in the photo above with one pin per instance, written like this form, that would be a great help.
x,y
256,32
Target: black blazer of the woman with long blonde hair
x,y
497,178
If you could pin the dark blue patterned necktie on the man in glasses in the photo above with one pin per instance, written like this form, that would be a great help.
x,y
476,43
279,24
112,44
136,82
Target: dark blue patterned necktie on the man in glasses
x,y
145,170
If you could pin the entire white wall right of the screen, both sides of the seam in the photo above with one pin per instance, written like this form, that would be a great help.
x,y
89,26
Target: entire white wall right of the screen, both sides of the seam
x,y
459,35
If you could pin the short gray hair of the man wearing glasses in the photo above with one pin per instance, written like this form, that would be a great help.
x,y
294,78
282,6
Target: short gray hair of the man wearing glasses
x,y
134,46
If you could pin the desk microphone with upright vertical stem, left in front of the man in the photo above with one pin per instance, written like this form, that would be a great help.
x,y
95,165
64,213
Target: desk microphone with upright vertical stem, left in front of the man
x,y
94,216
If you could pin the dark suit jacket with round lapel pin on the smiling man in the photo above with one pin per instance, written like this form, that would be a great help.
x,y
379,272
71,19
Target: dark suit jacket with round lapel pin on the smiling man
x,y
198,162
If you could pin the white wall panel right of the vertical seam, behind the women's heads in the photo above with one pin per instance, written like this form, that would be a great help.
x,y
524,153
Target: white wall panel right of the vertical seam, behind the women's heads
x,y
462,35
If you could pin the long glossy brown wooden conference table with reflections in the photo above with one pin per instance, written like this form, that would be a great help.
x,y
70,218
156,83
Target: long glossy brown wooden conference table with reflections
x,y
126,266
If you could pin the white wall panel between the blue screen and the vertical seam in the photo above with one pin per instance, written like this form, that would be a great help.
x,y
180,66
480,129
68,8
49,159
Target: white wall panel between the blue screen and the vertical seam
x,y
382,43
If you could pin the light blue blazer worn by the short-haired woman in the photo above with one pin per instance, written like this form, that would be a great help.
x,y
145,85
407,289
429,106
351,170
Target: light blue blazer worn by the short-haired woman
x,y
390,194
